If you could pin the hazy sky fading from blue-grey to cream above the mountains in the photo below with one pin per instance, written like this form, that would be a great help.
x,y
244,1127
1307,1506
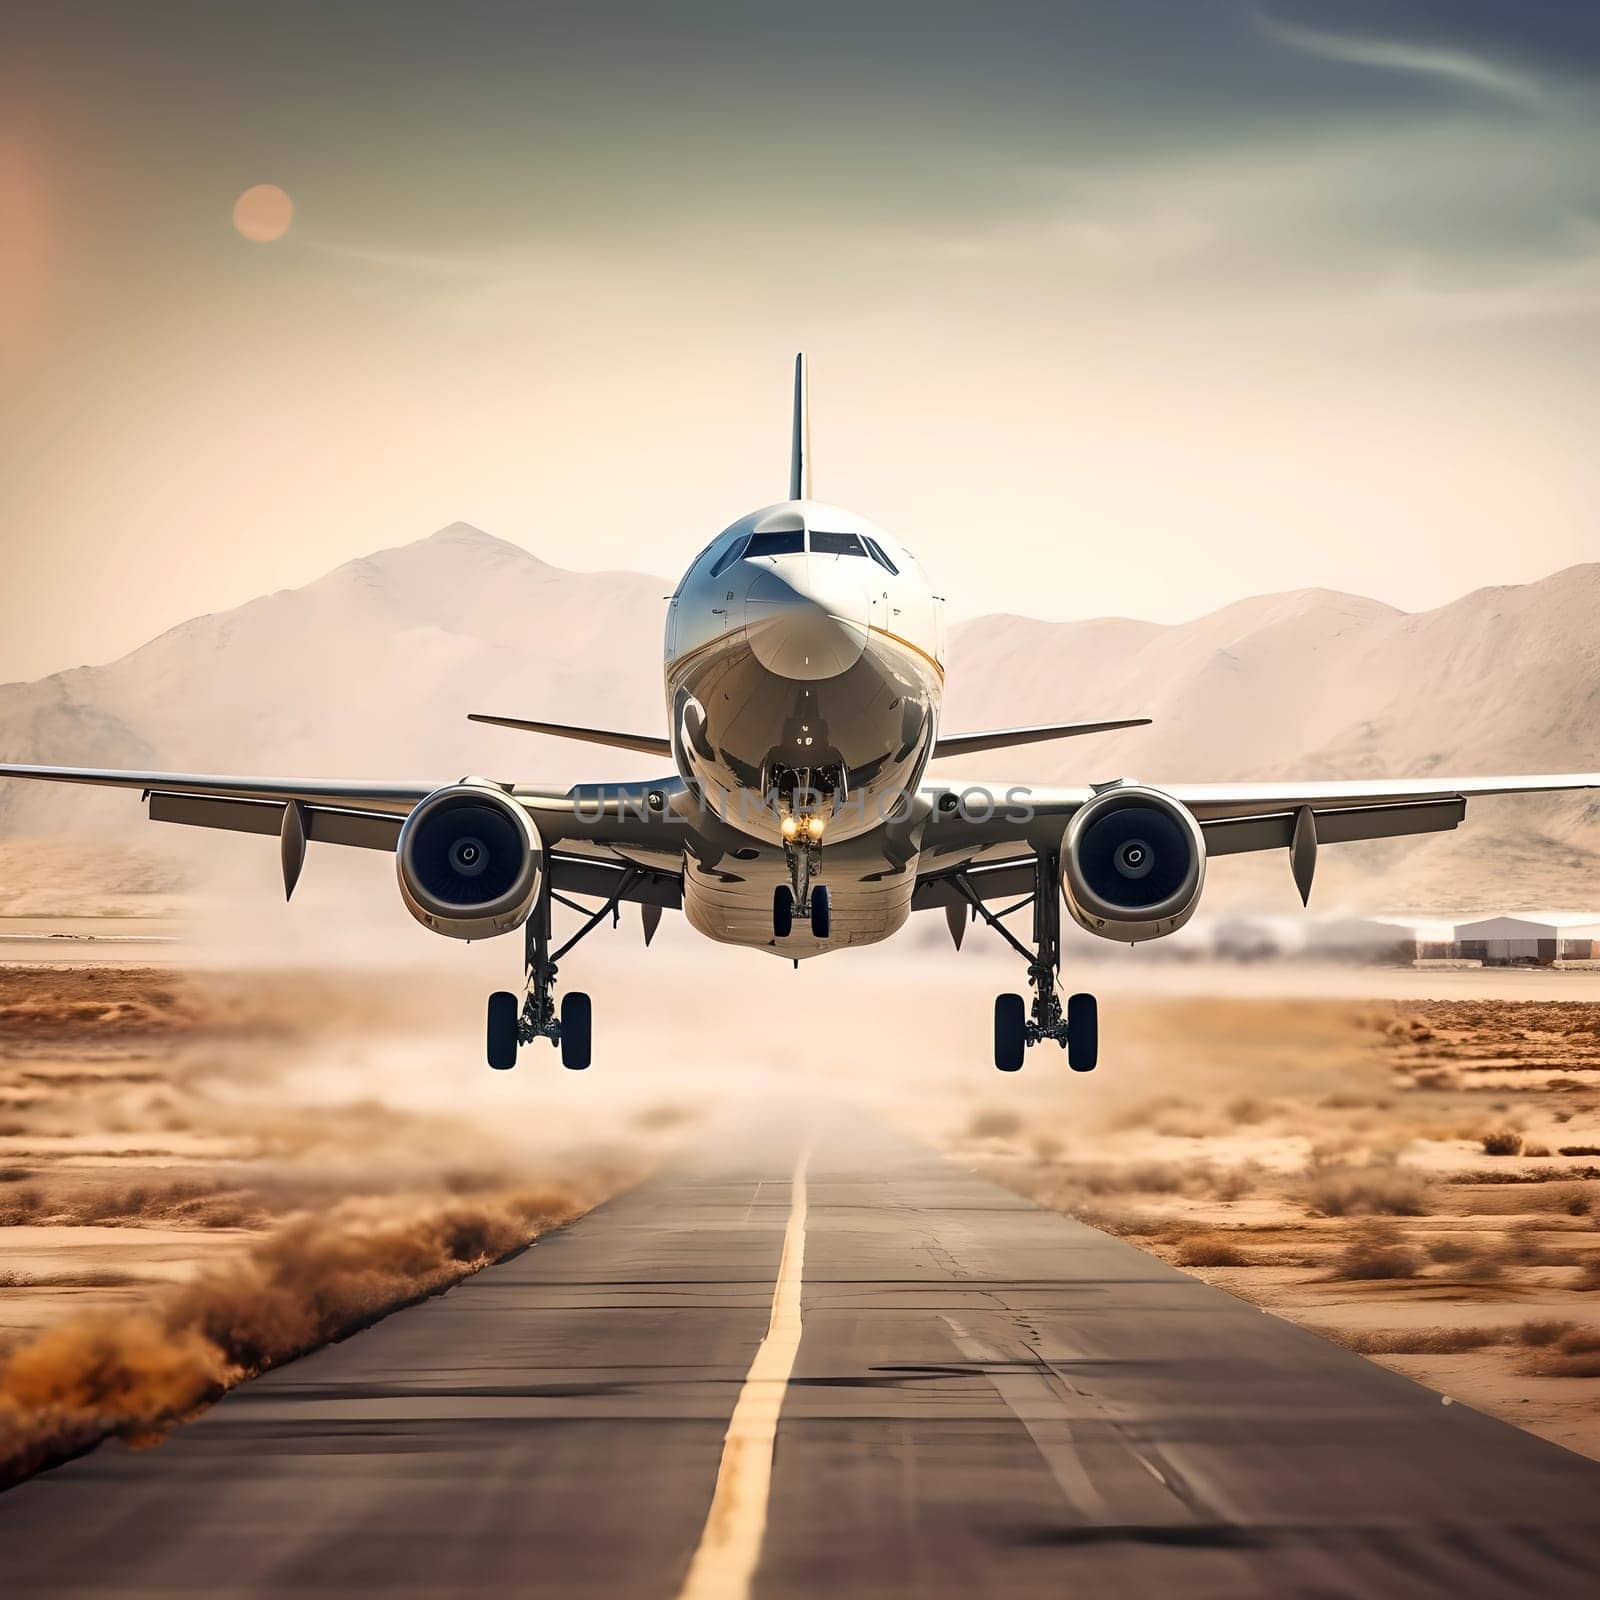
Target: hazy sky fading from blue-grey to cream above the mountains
x,y
1127,310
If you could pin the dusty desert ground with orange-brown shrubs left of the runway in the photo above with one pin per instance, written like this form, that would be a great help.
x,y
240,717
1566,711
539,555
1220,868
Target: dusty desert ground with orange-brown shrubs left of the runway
x,y
194,1186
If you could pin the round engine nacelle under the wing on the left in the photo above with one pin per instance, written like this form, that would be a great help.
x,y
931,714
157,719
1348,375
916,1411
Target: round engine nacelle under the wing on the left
x,y
470,862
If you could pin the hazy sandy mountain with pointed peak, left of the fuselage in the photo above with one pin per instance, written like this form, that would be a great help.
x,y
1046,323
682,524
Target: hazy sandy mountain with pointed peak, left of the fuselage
x,y
367,673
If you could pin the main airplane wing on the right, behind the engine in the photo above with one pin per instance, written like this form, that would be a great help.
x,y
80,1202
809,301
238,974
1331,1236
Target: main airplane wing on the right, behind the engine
x,y
991,834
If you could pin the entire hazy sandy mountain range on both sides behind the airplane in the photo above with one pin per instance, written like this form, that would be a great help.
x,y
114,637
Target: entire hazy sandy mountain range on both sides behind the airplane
x,y
372,670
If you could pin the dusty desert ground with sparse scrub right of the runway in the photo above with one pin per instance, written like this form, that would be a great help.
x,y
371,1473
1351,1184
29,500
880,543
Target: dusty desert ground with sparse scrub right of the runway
x,y
1418,1180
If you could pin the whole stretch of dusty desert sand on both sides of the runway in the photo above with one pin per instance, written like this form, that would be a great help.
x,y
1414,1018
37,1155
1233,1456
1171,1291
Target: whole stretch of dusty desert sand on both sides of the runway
x,y
209,1166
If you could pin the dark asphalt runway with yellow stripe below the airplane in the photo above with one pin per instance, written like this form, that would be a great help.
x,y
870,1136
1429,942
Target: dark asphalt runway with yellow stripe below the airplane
x,y
985,1399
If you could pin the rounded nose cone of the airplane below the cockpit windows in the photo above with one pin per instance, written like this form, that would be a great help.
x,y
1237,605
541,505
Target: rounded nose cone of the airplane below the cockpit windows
x,y
807,618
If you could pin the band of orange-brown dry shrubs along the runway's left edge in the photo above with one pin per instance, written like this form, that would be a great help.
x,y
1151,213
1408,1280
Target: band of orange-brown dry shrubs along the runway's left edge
x,y
314,1281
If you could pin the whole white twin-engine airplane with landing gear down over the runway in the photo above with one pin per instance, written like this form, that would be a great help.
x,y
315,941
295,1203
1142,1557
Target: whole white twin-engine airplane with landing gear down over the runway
x,y
804,676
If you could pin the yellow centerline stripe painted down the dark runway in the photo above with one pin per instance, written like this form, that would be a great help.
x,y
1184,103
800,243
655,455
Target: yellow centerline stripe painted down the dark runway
x,y
730,1545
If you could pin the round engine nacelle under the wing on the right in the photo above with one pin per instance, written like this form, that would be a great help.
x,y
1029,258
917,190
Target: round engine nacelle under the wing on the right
x,y
1132,865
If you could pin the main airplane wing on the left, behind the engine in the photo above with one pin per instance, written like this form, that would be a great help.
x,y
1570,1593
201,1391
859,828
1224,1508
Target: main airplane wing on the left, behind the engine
x,y
610,836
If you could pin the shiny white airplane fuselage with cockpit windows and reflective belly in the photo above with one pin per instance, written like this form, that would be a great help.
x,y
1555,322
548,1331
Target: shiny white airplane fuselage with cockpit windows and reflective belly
x,y
804,676
